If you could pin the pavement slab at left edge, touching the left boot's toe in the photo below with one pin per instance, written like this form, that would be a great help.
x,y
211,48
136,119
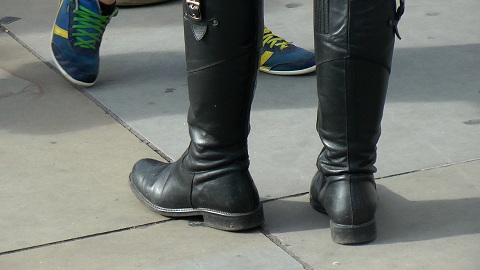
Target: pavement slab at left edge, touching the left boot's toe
x,y
64,163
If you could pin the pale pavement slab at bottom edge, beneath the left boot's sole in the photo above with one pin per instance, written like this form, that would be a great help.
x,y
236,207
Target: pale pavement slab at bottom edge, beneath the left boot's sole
x,y
171,245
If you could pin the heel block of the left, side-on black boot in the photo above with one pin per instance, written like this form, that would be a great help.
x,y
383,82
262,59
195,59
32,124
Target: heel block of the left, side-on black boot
x,y
234,221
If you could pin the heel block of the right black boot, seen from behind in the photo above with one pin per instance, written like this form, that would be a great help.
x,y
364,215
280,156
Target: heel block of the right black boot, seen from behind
x,y
353,234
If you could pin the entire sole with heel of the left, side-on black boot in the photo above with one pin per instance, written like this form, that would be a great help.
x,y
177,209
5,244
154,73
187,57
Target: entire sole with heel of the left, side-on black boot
x,y
212,218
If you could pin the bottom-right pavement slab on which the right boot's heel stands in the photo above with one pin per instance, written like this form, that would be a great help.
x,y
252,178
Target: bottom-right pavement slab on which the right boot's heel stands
x,y
426,220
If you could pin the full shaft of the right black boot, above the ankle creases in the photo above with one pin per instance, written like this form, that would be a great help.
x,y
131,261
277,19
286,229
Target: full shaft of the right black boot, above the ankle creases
x,y
354,45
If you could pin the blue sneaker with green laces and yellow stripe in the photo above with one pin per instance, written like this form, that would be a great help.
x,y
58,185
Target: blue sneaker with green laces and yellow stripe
x,y
76,37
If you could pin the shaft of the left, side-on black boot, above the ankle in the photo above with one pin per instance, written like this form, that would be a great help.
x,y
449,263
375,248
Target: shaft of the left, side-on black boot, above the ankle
x,y
222,66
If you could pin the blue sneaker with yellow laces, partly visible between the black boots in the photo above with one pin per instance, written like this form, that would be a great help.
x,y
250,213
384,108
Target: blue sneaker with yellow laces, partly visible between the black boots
x,y
280,57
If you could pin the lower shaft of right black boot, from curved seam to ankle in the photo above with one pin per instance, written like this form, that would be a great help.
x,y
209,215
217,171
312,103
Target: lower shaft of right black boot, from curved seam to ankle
x,y
351,97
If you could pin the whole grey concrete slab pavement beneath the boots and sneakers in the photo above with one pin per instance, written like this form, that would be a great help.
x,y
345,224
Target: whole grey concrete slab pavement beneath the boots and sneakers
x,y
65,152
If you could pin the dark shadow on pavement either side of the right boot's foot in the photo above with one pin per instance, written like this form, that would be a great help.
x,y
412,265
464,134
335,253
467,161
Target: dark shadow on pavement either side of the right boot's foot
x,y
398,219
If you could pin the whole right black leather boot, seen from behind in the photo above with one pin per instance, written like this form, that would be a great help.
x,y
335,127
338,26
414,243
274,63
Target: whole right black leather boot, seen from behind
x,y
354,42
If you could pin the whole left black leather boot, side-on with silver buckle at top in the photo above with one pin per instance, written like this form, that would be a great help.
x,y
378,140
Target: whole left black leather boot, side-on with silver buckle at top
x,y
211,179
